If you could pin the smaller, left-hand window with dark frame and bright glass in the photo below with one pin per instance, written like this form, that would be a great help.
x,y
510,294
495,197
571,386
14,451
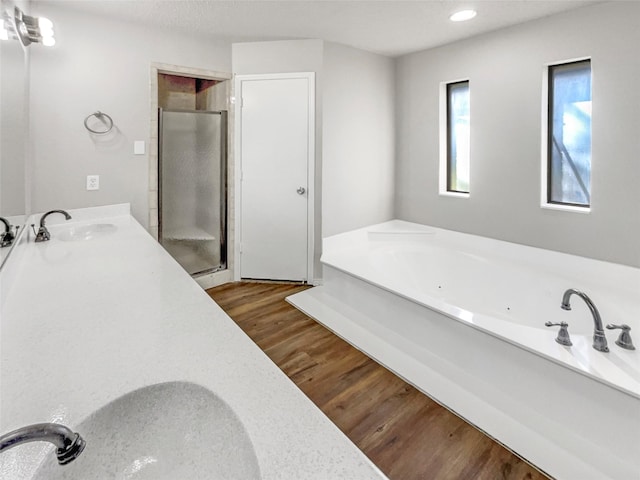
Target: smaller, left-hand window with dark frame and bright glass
x,y
458,134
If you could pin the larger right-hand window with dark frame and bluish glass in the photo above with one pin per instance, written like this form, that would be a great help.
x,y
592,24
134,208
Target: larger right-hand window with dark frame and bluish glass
x,y
569,134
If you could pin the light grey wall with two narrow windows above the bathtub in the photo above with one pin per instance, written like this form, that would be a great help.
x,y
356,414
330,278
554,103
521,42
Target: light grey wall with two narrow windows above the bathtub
x,y
505,69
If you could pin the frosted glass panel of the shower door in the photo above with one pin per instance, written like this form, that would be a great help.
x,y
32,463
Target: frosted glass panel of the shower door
x,y
192,188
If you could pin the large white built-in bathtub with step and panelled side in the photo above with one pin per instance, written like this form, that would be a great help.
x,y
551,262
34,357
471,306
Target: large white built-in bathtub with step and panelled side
x,y
462,318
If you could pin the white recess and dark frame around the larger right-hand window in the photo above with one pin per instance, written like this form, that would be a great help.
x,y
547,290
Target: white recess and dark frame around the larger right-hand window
x,y
547,140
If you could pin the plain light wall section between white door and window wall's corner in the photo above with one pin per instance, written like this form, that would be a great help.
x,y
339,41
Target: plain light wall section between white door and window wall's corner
x,y
358,139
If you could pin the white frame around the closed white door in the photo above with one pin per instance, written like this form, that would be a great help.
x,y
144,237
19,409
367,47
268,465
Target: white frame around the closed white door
x,y
311,157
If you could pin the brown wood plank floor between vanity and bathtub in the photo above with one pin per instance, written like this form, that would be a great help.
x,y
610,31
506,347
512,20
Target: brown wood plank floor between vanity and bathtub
x,y
405,433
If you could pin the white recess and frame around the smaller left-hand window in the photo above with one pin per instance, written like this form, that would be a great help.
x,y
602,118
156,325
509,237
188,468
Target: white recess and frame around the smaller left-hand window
x,y
446,138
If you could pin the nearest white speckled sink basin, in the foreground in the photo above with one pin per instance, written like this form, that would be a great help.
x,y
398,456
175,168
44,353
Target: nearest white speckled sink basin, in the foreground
x,y
174,431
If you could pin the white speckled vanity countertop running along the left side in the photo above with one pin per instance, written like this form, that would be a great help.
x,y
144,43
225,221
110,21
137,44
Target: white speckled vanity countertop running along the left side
x,y
88,321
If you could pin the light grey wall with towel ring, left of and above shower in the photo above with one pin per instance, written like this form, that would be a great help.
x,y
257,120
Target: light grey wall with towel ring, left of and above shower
x,y
102,65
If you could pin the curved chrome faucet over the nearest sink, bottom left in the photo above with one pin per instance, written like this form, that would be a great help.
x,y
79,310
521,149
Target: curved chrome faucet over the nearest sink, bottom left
x,y
69,444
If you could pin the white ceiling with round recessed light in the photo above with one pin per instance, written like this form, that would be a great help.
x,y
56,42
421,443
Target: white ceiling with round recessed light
x,y
388,27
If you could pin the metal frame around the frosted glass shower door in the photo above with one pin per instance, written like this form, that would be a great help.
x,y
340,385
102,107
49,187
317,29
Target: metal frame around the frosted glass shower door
x,y
223,175
